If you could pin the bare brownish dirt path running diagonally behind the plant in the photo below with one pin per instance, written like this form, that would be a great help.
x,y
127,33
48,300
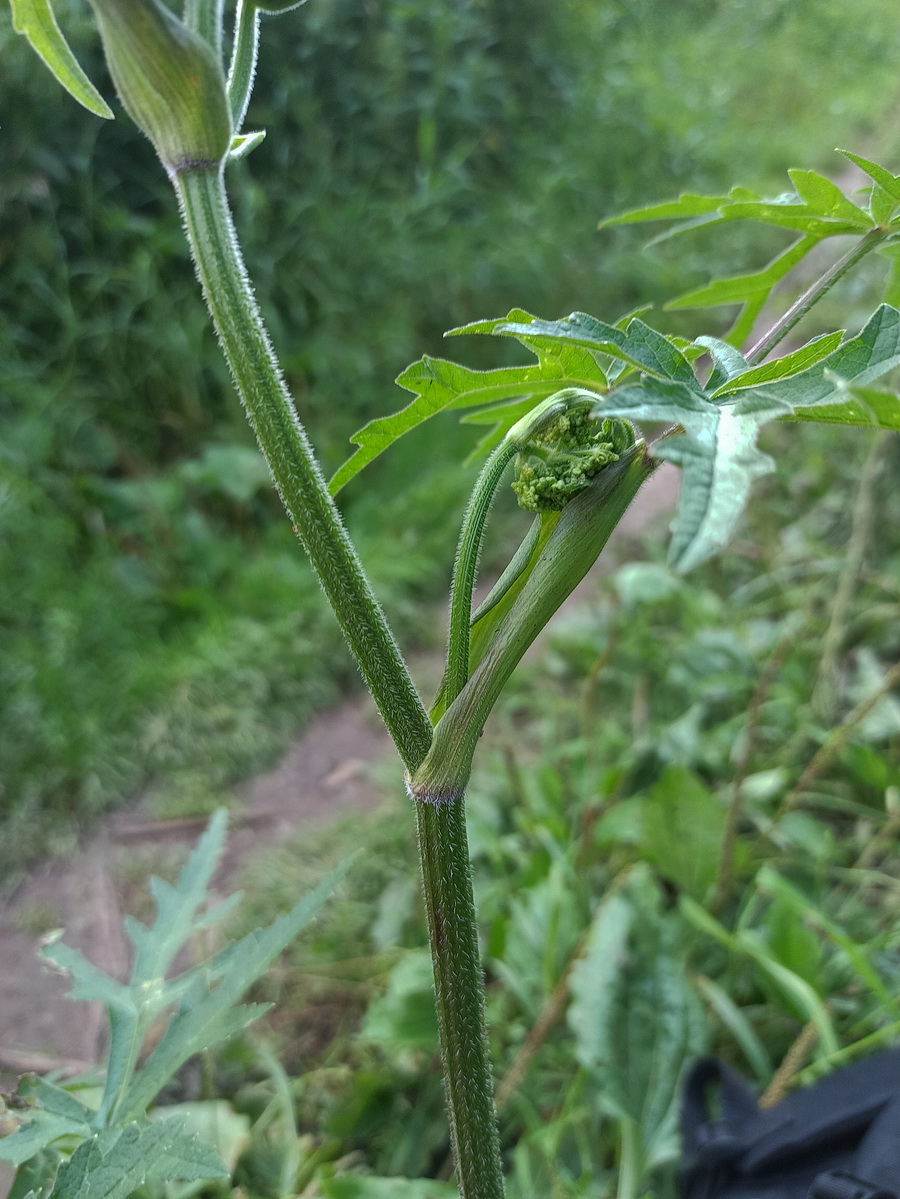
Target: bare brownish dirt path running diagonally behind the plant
x,y
327,772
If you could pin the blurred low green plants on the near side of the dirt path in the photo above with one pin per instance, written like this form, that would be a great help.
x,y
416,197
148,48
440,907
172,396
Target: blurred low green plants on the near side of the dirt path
x,y
613,953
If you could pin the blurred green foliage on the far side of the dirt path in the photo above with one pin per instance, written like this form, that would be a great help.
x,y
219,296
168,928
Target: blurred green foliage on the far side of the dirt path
x,y
425,165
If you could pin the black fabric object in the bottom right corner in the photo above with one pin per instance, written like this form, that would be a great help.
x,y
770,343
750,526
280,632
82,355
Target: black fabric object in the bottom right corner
x,y
837,1140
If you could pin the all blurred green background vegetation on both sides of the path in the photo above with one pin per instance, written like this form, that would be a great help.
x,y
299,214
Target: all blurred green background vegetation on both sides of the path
x,y
430,165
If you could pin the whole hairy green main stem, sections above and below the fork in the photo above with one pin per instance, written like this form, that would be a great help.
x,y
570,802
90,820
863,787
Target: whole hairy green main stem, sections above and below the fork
x,y
444,851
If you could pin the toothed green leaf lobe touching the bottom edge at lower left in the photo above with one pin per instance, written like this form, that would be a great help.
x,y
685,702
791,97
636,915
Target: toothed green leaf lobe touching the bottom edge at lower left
x,y
119,1161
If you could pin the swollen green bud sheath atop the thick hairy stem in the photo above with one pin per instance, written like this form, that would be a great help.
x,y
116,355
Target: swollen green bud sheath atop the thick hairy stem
x,y
168,81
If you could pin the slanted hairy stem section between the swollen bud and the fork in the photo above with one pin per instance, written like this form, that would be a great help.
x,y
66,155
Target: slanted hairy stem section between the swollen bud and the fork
x,y
293,462
